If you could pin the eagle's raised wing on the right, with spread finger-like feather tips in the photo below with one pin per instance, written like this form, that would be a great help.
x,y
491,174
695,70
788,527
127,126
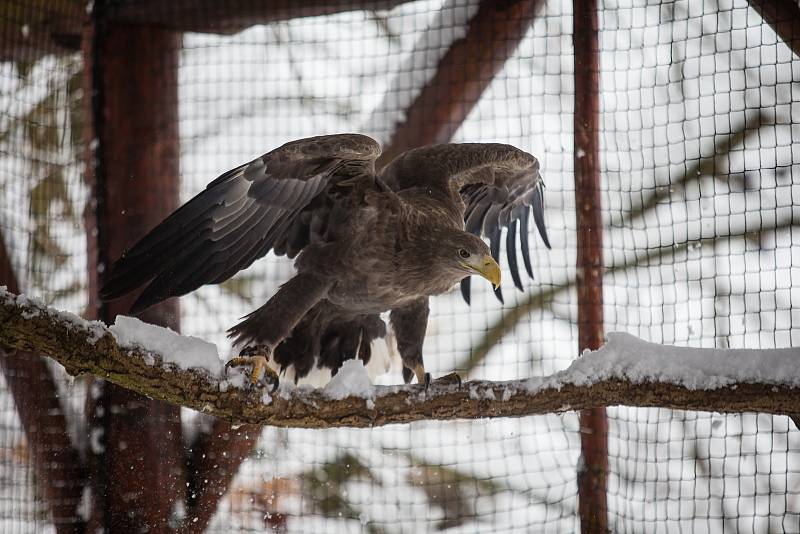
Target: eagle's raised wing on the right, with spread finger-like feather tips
x,y
499,185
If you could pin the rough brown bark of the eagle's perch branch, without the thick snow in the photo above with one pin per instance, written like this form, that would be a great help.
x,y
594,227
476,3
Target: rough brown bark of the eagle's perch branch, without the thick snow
x,y
84,348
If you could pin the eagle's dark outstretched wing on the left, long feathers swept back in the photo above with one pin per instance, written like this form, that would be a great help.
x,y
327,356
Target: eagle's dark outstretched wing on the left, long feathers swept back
x,y
237,219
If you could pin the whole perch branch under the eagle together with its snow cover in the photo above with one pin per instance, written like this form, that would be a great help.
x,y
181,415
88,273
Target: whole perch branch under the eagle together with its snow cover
x,y
186,371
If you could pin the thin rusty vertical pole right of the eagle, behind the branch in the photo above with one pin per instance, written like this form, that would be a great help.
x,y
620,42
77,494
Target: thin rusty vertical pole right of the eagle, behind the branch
x,y
593,422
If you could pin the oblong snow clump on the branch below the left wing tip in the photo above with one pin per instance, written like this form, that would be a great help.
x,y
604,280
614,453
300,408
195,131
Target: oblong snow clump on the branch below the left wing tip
x,y
183,351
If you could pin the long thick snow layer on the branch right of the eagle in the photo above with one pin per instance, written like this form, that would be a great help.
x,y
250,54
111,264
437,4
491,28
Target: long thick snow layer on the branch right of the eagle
x,y
626,357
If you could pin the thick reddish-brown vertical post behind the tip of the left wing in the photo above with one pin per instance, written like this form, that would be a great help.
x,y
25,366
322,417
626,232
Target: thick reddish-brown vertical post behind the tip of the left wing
x,y
136,457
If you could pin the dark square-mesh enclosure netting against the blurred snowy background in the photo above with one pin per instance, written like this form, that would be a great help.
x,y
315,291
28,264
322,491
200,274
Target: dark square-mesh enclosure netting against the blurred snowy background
x,y
700,155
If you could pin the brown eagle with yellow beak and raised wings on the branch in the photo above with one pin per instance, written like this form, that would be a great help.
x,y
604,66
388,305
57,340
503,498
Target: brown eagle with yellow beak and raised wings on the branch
x,y
364,242
